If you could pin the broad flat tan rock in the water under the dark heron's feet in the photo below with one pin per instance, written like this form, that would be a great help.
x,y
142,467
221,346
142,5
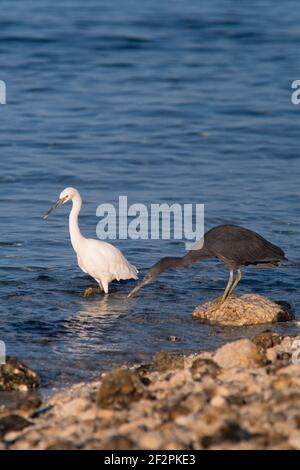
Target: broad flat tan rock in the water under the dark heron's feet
x,y
248,309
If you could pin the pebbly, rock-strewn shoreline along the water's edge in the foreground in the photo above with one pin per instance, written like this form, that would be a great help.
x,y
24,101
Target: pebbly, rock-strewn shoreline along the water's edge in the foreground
x,y
244,395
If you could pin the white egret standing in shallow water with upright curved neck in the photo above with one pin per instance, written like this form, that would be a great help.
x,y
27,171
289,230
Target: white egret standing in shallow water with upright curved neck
x,y
101,260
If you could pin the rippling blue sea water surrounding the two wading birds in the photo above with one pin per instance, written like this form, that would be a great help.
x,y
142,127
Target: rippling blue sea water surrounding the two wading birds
x,y
178,101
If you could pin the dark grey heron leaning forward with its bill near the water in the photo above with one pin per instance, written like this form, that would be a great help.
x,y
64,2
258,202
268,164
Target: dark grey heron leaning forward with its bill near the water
x,y
235,246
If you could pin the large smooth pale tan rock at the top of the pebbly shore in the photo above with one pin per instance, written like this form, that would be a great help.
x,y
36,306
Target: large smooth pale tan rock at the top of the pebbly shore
x,y
241,353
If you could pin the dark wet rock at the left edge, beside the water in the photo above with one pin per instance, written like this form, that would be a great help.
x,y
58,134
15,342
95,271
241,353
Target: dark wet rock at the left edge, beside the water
x,y
16,376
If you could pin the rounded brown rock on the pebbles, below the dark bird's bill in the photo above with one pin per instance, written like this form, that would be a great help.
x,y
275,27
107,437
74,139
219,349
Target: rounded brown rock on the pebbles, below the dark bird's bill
x,y
119,388
